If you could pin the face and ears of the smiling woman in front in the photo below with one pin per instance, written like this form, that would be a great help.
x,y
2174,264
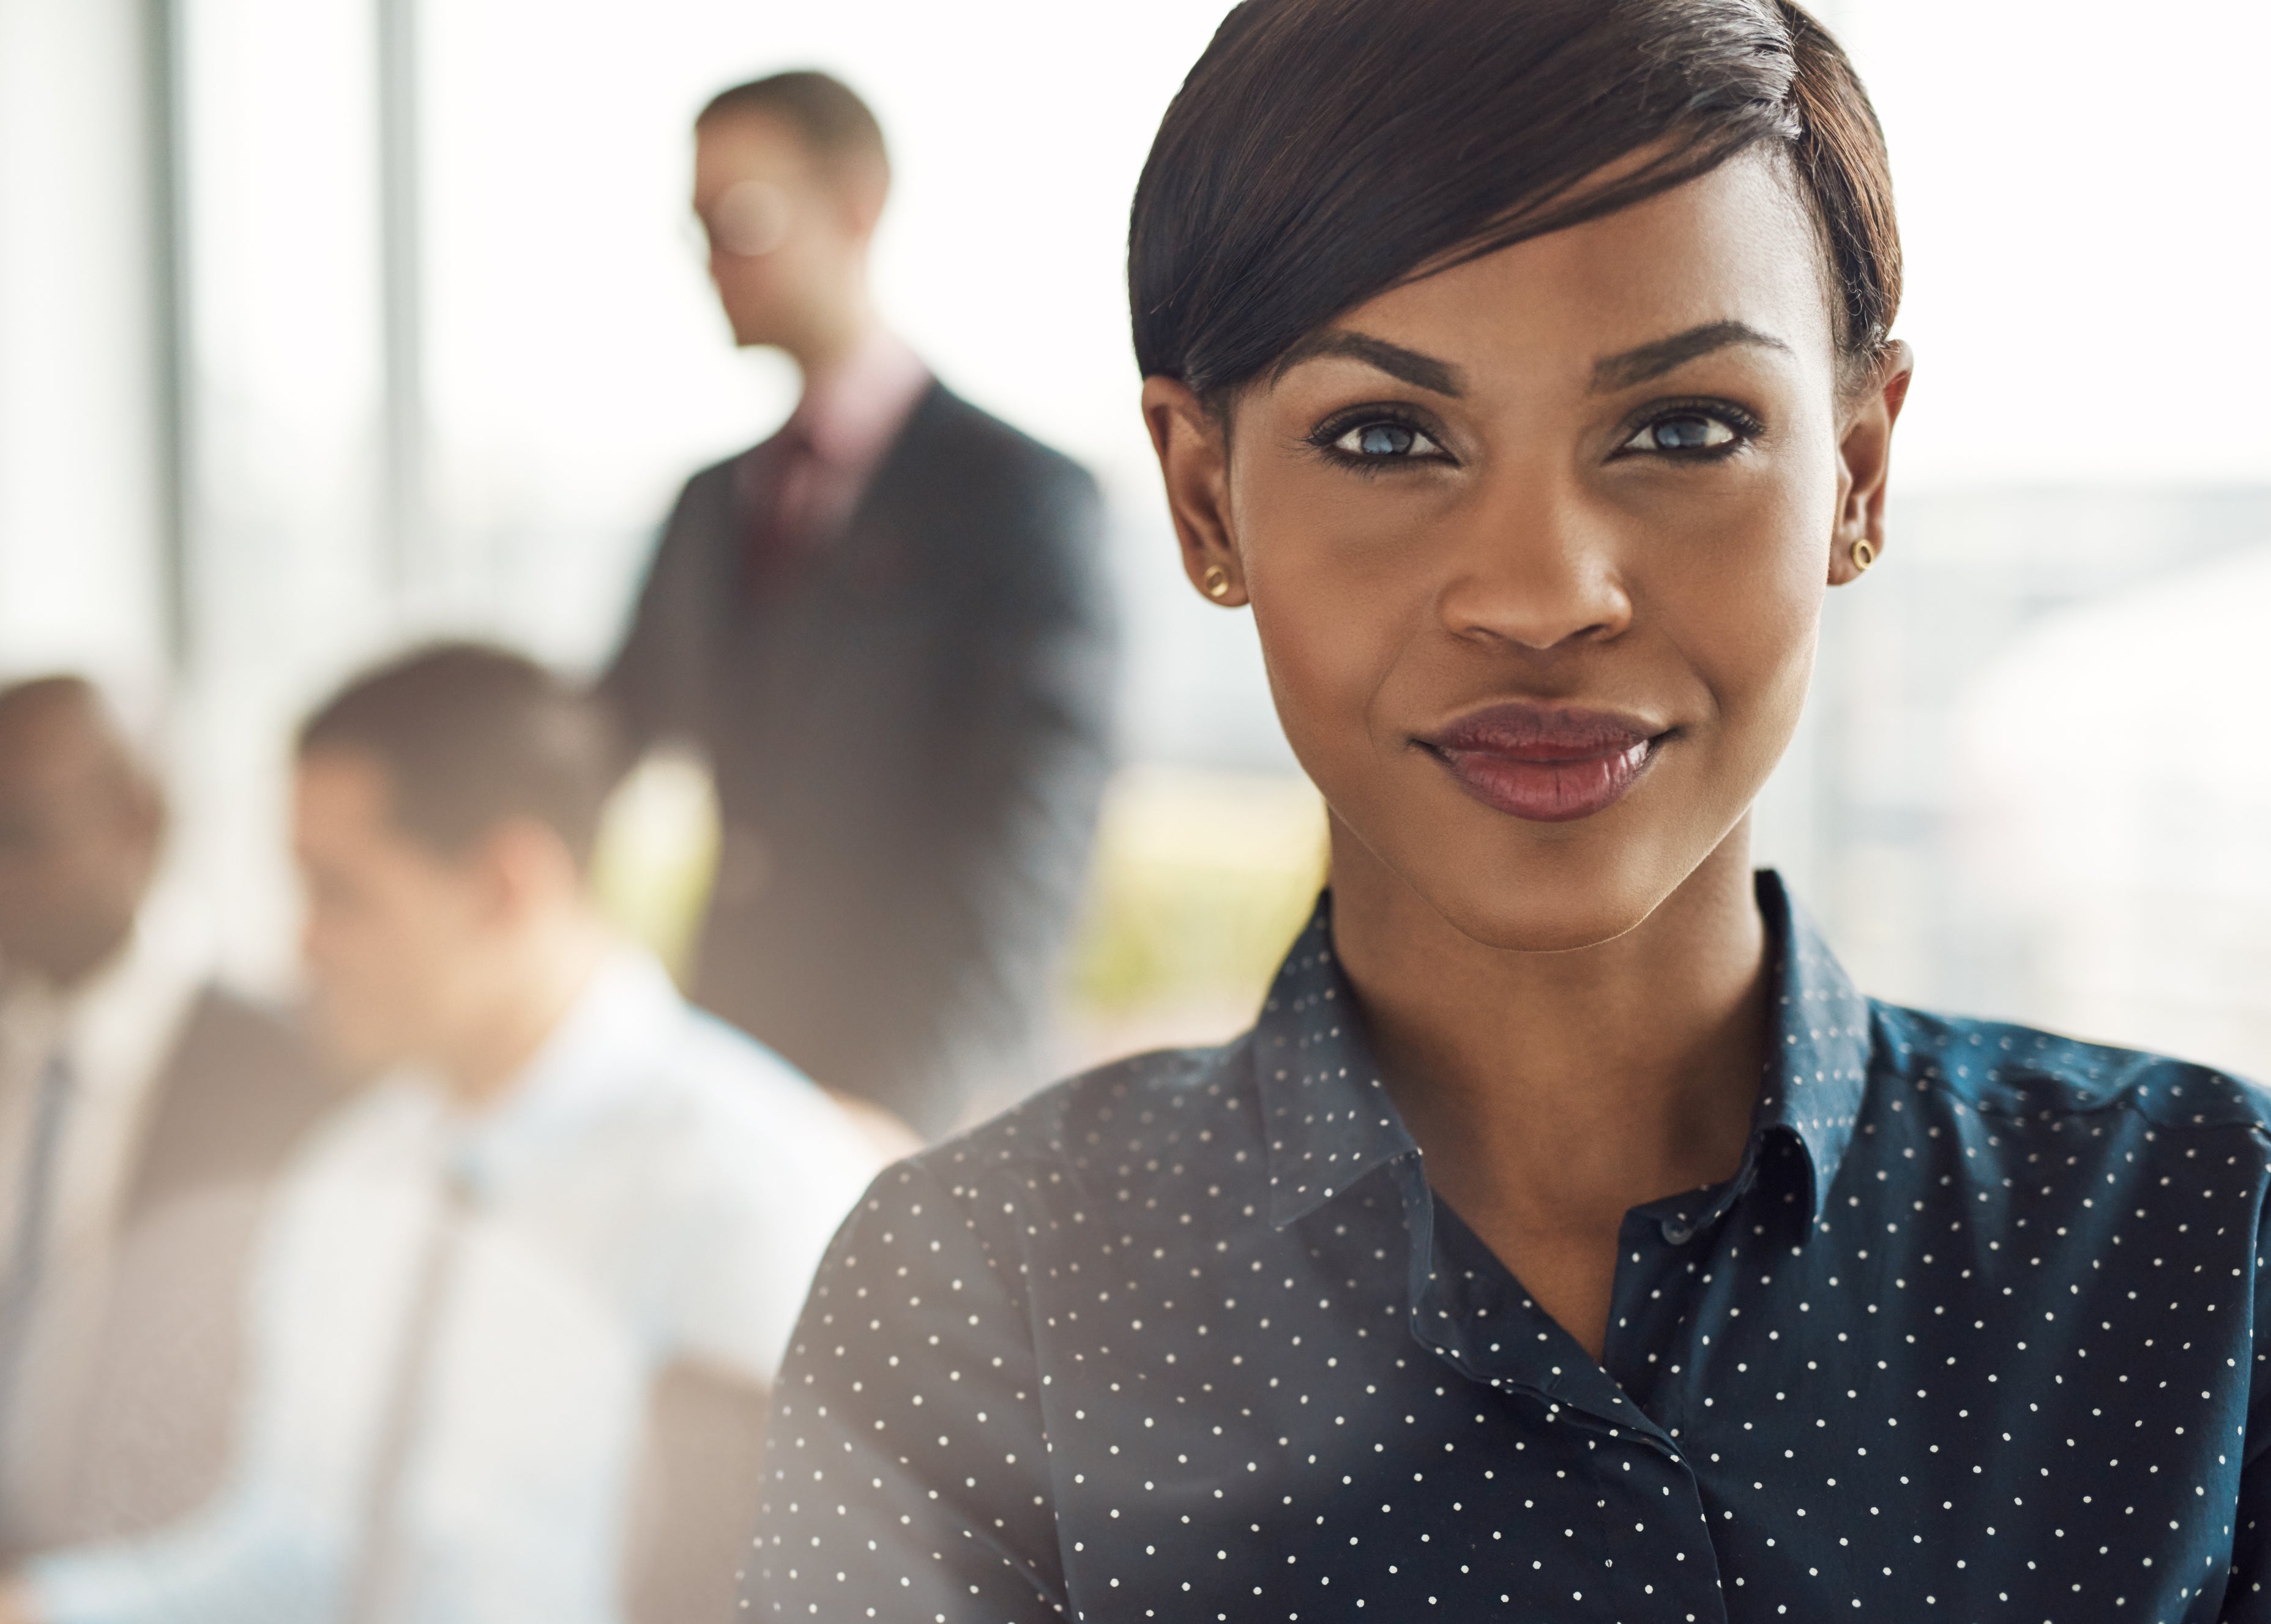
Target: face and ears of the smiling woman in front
x,y
1539,546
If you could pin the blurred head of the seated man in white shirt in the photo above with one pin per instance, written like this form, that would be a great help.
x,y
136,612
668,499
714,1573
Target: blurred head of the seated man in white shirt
x,y
444,821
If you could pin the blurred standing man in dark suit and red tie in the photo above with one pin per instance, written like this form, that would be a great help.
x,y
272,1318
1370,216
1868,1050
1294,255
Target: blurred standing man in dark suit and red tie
x,y
887,628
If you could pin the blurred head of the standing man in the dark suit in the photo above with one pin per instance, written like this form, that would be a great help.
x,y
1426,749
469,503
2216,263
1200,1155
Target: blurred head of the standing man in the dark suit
x,y
789,185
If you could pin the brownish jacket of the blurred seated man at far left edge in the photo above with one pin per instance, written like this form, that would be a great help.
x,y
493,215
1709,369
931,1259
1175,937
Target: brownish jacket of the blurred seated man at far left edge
x,y
160,1405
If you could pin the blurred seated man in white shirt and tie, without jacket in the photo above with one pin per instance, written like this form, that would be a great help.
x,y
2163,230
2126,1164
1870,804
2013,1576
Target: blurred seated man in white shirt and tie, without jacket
x,y
478,1271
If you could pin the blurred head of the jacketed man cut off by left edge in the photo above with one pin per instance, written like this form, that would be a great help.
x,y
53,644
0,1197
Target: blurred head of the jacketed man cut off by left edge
x,y
81,830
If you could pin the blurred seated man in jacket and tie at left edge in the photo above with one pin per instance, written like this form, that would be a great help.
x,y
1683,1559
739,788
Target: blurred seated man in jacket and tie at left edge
x,y
144,1114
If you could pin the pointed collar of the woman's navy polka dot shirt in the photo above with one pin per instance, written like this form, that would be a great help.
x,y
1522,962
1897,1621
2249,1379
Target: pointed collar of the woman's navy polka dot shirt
x,y
1330,1121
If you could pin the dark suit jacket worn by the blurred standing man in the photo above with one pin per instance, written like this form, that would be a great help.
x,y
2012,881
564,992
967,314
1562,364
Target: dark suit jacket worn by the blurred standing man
x,y
910,746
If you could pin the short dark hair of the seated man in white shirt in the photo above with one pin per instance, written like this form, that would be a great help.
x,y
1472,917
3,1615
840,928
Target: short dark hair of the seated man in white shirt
x,y
474,737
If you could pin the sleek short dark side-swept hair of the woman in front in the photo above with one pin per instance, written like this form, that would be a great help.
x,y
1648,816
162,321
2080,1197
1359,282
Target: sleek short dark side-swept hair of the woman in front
x,y
1327,151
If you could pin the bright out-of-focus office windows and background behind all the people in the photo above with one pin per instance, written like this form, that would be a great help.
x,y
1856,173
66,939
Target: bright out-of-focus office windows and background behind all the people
x,y
328,324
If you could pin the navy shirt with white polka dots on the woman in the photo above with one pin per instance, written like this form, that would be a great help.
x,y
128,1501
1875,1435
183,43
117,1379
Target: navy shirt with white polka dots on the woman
x,y
1970,1337
